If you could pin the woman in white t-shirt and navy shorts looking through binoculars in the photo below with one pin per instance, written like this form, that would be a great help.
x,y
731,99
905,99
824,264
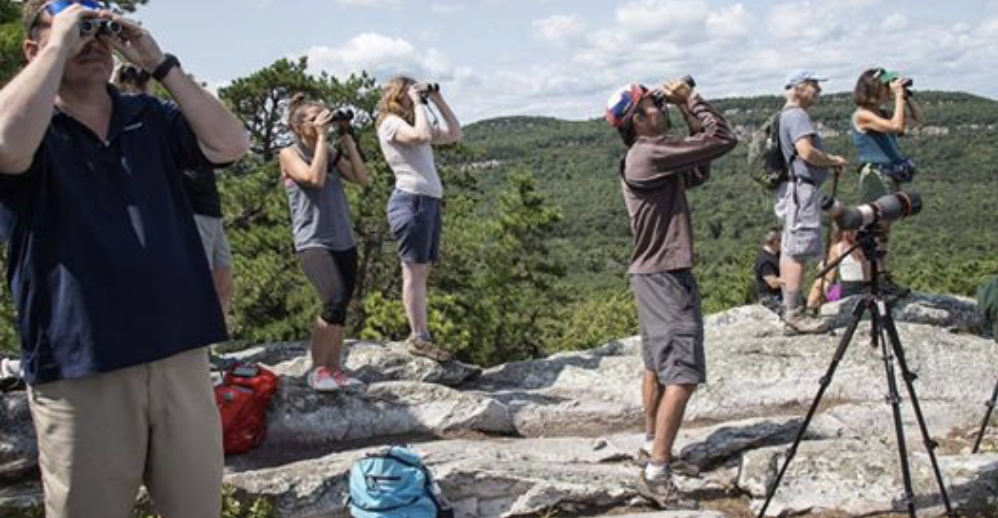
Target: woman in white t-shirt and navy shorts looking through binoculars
x,y
407,136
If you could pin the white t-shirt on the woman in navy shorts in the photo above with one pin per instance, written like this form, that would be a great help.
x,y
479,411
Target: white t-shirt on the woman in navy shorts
x,y
413,165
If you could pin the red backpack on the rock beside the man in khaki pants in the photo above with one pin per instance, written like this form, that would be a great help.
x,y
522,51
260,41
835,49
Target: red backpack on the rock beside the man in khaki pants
x,y
242,400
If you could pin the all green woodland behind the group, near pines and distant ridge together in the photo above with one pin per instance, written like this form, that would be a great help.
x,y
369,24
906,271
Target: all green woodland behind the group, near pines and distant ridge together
x,y
536,241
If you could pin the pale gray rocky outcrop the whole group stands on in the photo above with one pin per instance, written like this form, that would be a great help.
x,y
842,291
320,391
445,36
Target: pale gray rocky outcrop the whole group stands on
x,y
560,433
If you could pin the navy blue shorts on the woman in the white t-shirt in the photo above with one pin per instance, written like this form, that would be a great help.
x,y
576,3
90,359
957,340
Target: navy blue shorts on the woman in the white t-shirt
x,y
416,222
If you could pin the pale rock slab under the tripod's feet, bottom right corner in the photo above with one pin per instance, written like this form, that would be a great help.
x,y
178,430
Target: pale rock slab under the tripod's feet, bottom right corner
x,y
860,477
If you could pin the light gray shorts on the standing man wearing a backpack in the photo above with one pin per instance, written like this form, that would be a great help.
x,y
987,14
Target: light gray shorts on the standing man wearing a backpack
x,y
799,206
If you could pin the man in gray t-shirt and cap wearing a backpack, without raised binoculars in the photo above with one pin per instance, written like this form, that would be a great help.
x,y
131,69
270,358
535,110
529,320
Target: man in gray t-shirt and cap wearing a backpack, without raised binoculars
x,y
798,201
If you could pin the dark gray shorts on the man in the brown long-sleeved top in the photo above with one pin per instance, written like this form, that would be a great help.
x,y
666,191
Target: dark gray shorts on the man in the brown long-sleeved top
x,y
671,326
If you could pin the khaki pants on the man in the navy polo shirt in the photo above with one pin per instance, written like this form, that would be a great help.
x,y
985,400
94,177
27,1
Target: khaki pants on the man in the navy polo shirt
x,y
101,437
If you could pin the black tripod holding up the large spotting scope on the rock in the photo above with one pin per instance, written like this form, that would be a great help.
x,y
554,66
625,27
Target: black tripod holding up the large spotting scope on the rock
x,y
883,334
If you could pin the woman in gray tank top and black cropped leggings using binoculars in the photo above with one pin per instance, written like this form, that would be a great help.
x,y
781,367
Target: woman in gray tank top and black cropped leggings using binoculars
x,y
312,173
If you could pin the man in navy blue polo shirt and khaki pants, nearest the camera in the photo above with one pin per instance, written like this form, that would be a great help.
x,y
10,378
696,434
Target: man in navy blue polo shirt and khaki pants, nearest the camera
x,y
115,300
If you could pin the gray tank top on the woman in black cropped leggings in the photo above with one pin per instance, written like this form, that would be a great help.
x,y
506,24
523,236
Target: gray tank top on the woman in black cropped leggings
x,y
320,217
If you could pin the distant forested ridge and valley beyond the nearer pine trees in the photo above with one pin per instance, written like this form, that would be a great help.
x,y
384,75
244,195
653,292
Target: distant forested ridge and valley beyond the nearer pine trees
x,y
948,248
